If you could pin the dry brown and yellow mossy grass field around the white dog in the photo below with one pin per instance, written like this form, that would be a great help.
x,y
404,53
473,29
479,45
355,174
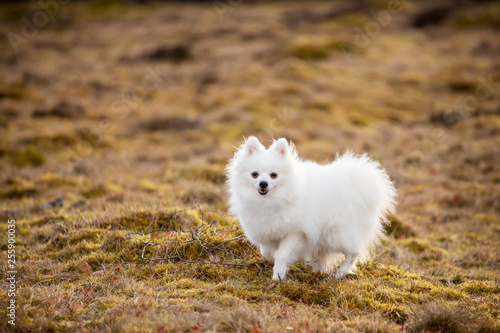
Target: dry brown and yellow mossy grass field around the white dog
x,y
117,122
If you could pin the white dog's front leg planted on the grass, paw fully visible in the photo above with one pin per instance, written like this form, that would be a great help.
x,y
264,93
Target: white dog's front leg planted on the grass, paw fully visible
x,y
289,251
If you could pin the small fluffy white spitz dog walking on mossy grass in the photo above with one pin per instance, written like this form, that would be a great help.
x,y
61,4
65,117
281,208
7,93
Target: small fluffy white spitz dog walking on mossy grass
x,y
309,211
